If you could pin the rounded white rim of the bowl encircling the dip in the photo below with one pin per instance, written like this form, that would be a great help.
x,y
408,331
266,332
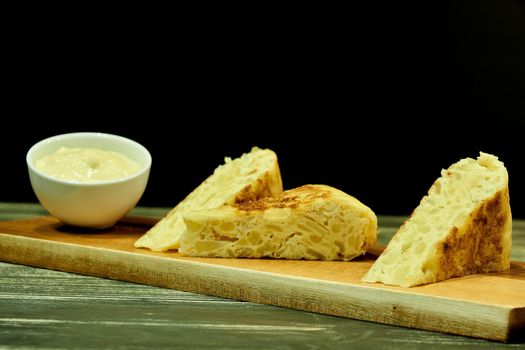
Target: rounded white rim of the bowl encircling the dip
x,y
145,167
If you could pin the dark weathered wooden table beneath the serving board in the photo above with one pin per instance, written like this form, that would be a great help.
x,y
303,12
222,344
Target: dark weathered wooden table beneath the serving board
x,y
45,309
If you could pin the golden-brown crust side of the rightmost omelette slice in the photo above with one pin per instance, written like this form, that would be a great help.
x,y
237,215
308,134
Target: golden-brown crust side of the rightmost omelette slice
x,y
483,246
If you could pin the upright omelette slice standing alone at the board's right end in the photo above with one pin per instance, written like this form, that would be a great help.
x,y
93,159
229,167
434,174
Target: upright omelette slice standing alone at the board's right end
x,y
463,226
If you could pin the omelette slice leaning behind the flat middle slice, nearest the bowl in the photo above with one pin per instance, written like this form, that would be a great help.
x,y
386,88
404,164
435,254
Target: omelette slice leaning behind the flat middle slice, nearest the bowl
x,y
252,176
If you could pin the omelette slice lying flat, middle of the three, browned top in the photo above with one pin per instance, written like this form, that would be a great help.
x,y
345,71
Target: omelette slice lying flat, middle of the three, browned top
x,y
310,222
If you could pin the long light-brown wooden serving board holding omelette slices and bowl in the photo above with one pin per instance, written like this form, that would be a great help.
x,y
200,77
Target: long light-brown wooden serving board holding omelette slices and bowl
x,y
489,306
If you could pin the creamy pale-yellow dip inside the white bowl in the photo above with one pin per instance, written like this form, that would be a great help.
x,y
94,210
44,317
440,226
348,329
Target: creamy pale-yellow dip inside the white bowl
x,y
87,164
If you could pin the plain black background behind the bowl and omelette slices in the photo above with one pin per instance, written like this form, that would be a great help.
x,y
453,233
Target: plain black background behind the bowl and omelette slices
x,y
374,100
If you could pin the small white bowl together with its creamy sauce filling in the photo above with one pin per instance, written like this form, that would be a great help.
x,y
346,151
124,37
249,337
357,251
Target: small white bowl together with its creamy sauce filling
x,y
88,179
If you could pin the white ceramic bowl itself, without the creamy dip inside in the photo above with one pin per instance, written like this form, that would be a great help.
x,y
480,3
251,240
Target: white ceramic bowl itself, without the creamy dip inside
x,y
97,204
